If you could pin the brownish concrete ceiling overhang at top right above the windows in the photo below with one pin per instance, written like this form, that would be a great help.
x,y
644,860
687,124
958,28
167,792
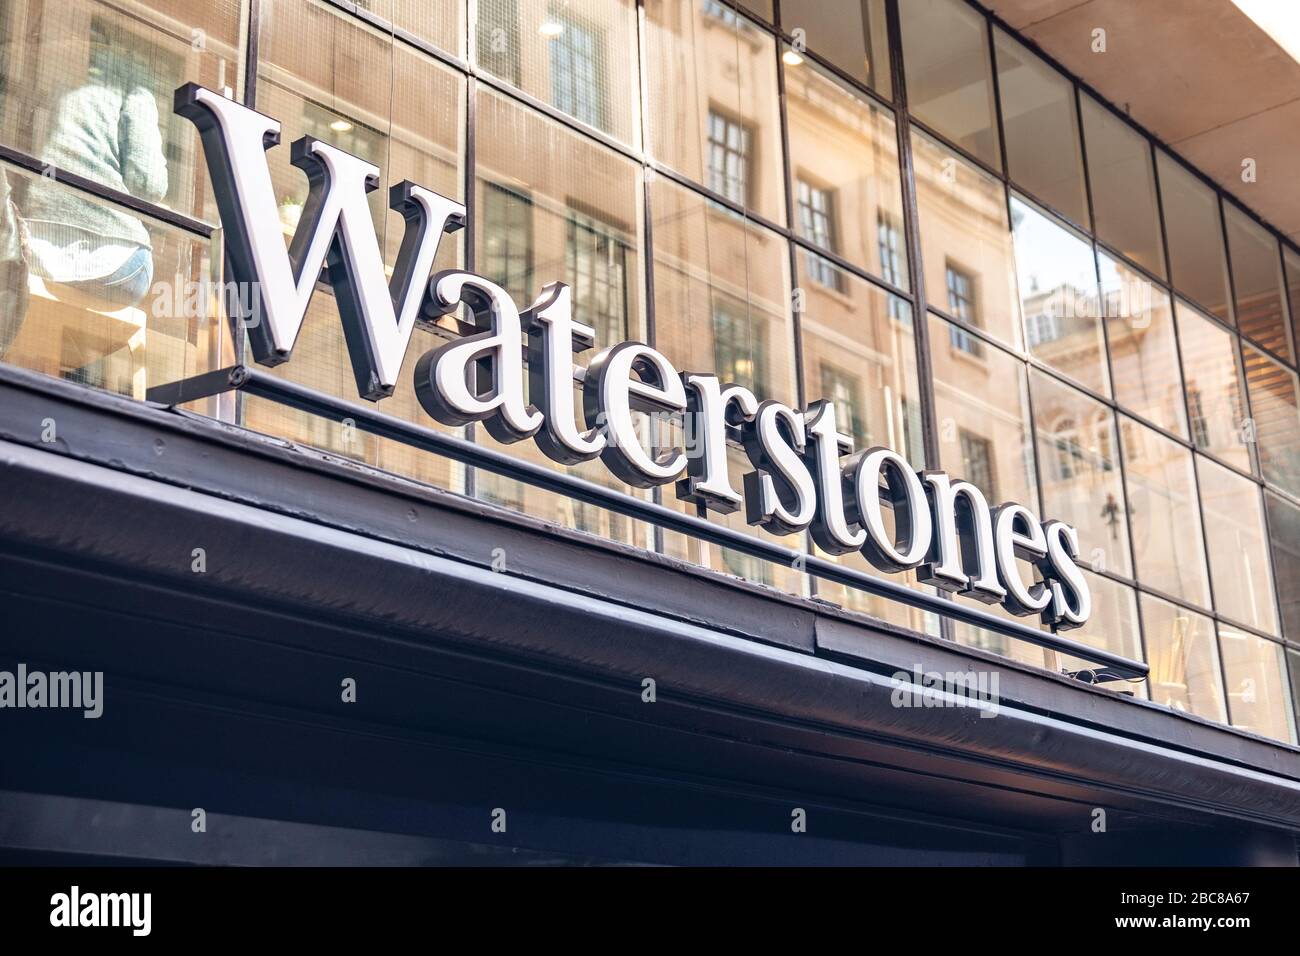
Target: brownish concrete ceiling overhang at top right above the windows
x,y
1199,75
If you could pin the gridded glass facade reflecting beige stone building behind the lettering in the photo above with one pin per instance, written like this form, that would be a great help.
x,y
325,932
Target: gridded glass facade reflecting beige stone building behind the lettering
x,y
1108,340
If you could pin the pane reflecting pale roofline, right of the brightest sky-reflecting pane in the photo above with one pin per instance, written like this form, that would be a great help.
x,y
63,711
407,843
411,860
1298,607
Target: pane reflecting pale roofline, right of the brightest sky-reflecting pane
x,y
1143,347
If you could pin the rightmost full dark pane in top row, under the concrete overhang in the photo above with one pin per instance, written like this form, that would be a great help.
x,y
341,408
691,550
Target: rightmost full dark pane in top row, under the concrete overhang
x,y
1258,282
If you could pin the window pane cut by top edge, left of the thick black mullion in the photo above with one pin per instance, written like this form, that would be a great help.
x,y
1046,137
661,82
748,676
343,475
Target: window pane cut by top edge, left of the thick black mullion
x,y
848,33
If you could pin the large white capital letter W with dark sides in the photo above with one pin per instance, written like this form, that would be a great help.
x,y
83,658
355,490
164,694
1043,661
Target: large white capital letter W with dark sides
x,y
336,230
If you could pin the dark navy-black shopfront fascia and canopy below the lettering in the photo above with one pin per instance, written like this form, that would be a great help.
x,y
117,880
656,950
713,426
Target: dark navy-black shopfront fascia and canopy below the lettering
x,y
519,689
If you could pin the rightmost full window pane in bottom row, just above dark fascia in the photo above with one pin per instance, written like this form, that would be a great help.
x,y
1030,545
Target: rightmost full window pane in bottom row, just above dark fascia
x,y
1258,691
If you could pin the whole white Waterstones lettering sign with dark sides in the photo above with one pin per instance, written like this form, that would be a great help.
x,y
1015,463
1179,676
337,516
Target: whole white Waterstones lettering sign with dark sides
x,y
807,475
